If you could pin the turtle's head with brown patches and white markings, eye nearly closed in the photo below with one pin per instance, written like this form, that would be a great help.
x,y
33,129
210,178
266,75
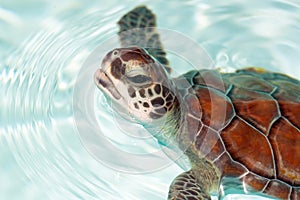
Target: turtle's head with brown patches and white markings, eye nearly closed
x,y
137,84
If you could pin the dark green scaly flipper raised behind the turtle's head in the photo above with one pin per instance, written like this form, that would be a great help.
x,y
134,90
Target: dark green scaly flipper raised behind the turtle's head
x,y
138,28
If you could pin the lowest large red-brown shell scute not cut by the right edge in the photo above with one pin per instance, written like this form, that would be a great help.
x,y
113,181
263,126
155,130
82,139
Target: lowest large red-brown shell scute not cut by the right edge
x,y
249,147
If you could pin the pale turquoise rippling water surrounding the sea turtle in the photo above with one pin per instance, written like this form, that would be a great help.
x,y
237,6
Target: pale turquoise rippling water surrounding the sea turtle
x,y
44,45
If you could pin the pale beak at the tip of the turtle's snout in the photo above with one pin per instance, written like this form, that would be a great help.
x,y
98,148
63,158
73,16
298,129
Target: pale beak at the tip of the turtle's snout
x,y
105,84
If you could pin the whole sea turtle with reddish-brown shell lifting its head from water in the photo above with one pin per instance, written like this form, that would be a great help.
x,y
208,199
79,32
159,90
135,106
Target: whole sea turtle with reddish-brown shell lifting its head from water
x,y
244,125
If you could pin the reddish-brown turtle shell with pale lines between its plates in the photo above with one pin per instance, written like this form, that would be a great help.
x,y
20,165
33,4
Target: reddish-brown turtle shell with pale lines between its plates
x,y
248,125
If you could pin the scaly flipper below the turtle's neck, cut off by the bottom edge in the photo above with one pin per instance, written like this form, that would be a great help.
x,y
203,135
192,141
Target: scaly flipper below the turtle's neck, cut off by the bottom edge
x,y
185,186
